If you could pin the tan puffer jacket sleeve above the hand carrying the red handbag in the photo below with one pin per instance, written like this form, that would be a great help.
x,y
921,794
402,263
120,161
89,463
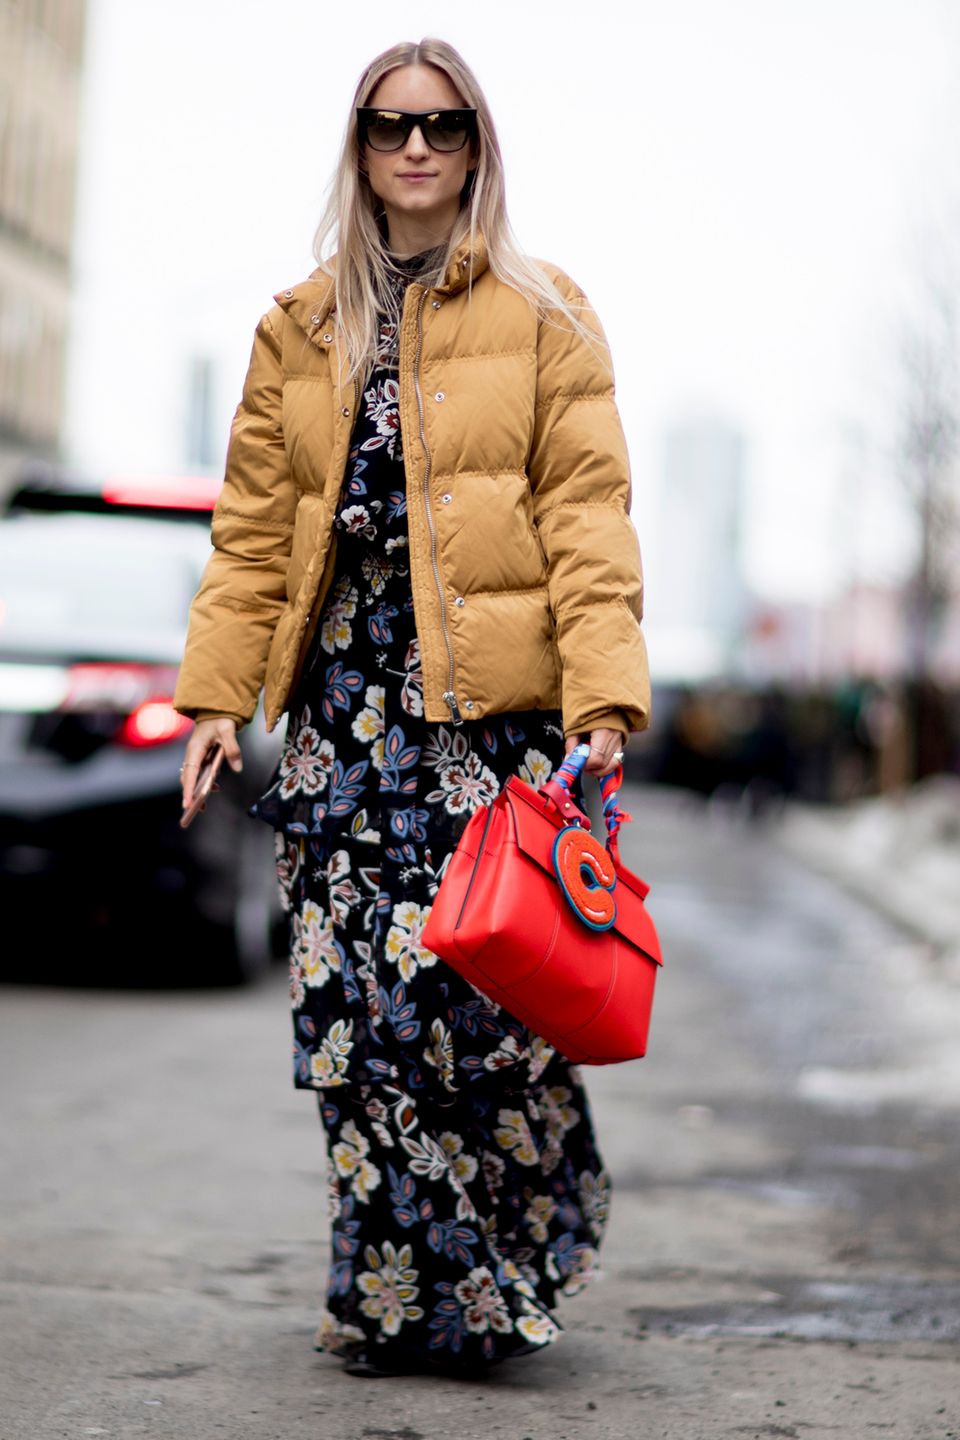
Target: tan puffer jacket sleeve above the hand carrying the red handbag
x,y
581,482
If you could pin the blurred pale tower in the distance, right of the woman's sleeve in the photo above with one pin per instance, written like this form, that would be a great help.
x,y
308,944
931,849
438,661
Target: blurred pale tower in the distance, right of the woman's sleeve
x,y
700,601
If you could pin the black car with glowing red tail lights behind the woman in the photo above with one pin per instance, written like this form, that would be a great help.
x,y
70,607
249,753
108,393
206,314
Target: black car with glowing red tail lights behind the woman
x,y
97,879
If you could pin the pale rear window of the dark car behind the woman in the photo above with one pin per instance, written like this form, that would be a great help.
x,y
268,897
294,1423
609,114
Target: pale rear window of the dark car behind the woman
x,y
78,585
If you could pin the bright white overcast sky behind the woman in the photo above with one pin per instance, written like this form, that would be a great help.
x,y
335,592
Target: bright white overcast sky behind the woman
x,y
745,189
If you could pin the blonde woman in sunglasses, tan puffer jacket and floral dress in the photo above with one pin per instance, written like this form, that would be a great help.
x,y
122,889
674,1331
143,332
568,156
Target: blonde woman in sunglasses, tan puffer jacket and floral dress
x,y
422,551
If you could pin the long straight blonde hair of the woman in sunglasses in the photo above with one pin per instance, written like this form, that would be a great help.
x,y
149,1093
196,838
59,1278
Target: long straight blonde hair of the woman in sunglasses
x,y
352,228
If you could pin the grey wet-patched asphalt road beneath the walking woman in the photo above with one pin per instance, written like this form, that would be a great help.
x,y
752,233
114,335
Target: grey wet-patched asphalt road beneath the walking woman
x,y
785,1249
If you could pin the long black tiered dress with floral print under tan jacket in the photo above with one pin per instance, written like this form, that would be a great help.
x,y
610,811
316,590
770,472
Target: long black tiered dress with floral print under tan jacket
x,y
466,1184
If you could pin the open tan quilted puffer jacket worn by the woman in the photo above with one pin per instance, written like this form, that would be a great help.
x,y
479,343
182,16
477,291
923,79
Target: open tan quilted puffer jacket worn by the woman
x,y
525,564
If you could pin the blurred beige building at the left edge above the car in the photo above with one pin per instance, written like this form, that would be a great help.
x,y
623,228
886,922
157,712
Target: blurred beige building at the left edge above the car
x,y
41,60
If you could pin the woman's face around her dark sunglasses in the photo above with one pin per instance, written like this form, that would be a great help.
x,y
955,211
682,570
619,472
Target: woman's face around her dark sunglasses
x,y
420,188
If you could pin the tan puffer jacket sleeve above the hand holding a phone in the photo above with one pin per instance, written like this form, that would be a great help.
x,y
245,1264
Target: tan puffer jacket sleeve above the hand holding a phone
x,y
244,588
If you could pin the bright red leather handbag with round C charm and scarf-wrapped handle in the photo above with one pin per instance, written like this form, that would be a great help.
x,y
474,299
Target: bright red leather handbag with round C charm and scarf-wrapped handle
x,y
549,924
